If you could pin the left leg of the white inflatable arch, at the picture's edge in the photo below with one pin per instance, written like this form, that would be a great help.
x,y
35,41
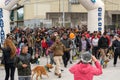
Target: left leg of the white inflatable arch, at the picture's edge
x,y
5,7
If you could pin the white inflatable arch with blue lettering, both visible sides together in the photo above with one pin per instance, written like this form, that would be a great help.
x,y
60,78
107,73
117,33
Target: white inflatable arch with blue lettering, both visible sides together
x,y
95,15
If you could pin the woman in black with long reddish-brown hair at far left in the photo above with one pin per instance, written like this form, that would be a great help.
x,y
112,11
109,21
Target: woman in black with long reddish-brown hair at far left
x,y
9,53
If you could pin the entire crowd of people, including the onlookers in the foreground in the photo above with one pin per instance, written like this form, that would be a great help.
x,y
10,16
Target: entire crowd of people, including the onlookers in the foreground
x,y
61,44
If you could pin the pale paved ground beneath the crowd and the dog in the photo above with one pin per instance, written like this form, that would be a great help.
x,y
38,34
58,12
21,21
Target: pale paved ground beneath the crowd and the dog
x,y
110,73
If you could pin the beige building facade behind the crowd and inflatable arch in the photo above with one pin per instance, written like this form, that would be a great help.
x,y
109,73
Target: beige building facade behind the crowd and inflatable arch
x,y
69,11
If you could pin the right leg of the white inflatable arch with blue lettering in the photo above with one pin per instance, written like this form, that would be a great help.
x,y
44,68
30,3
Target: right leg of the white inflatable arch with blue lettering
x,y
95,14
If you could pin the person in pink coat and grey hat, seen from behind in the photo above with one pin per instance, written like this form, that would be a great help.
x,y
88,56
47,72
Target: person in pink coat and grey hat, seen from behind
x,y
84,70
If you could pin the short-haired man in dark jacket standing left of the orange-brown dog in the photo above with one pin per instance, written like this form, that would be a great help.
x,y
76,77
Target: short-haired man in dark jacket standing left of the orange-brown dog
x,y
23,63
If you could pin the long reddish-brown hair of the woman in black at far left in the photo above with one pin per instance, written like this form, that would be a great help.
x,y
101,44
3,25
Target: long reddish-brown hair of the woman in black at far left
x,y
10,44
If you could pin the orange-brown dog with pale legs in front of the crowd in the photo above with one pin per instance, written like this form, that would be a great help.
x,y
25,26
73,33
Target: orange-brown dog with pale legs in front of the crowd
x,y
41,70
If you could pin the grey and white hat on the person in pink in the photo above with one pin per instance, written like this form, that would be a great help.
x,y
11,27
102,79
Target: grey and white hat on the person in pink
x,y
86,57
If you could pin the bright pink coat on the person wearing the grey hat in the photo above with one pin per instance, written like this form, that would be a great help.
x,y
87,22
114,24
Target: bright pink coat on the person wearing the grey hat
x,y
85,71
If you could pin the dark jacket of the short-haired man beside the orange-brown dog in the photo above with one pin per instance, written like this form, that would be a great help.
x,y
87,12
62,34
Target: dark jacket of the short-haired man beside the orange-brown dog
x,y
24,59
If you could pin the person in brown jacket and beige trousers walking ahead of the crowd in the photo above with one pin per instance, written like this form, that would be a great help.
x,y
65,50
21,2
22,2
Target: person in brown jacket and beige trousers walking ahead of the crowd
x,y
58,50
